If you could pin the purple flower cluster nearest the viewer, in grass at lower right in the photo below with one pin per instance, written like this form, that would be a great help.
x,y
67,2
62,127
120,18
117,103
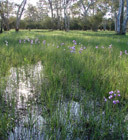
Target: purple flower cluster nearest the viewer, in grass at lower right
x,y
113,95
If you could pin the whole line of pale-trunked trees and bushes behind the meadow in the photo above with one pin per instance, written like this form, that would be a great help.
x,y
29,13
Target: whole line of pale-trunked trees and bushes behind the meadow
x,y
65,15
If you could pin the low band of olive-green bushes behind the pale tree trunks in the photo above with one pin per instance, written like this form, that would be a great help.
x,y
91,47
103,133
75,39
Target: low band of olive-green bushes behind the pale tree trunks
x,y
90,23
